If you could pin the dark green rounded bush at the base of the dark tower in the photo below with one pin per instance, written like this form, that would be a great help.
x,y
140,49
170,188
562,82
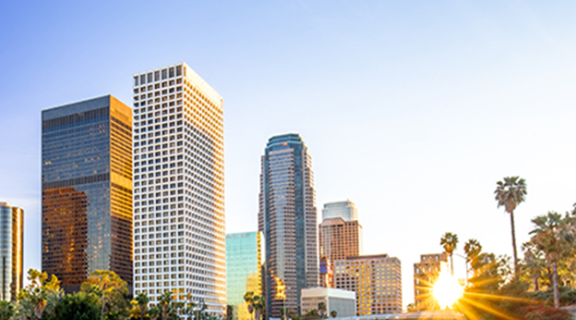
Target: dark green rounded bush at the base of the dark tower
x,y
77,306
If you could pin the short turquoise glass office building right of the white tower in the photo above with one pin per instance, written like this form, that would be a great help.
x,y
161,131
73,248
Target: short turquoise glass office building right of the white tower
x,y
244,263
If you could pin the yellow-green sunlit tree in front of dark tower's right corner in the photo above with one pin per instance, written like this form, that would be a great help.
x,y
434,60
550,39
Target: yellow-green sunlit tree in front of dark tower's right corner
x,y
111,291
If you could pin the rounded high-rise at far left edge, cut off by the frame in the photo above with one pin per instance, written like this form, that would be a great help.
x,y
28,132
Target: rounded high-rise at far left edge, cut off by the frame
x,y
11,251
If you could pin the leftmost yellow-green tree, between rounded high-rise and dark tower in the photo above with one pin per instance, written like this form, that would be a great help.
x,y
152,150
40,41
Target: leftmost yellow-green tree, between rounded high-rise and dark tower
x,y
39,297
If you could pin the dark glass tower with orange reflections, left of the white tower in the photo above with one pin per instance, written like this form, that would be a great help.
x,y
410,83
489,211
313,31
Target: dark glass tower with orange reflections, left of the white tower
x,y
87,190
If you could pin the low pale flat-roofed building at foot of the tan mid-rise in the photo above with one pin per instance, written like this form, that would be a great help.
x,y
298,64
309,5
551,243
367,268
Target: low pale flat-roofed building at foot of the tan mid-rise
x,y
341,301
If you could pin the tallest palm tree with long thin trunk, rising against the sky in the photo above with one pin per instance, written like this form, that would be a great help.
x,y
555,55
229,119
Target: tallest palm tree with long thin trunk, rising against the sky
x,y
510,193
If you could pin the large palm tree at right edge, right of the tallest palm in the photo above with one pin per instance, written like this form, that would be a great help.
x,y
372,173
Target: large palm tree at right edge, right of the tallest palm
x,y
552,235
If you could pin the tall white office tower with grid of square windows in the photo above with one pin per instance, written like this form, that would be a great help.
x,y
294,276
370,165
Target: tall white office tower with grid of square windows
x,y
179,235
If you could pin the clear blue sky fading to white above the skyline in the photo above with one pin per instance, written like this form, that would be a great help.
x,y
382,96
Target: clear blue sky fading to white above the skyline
x,y
411,109
